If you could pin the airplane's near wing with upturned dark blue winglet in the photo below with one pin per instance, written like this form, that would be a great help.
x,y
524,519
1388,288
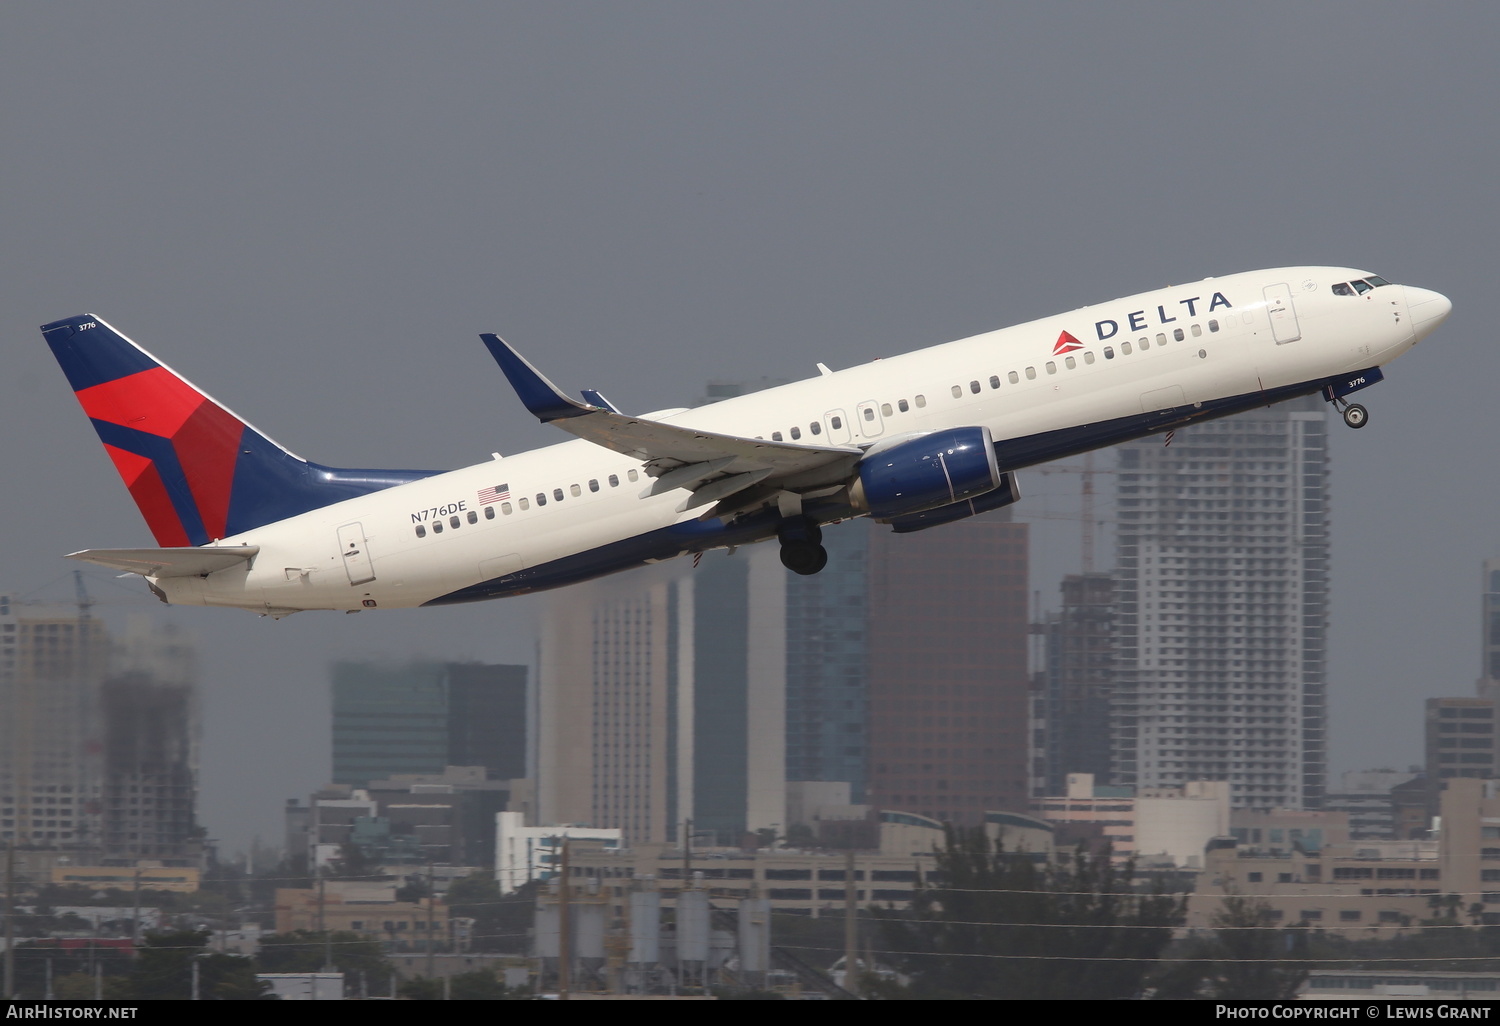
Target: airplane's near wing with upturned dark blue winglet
x,y
671,451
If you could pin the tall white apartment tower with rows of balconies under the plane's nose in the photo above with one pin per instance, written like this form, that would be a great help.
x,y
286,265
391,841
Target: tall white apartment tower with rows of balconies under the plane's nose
x,y
1223,608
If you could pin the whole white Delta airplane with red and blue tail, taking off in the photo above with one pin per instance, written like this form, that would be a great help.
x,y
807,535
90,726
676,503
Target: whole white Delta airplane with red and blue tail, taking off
x,y
914,442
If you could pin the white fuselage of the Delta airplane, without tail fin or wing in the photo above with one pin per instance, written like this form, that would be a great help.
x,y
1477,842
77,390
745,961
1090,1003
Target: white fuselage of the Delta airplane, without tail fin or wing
x,y
1243,335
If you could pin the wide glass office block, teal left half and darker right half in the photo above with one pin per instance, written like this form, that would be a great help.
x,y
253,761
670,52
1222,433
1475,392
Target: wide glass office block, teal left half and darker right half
x,y
424,716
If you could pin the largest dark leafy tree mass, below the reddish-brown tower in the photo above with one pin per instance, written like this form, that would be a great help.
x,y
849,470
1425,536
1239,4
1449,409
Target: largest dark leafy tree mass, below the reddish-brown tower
x,y
1001,925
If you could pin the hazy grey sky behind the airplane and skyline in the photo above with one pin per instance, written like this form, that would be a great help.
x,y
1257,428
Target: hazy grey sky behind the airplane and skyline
x,y
313,211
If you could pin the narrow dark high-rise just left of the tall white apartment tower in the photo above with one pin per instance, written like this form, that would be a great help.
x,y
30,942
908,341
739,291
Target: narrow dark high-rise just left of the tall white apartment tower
x,y
1078,682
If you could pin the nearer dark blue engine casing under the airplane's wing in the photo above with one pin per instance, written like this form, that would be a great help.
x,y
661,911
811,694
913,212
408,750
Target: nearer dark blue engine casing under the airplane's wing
x,y
925,473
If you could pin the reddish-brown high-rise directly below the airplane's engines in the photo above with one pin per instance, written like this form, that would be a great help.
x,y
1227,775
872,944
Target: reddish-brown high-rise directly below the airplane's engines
x,y
949,688
